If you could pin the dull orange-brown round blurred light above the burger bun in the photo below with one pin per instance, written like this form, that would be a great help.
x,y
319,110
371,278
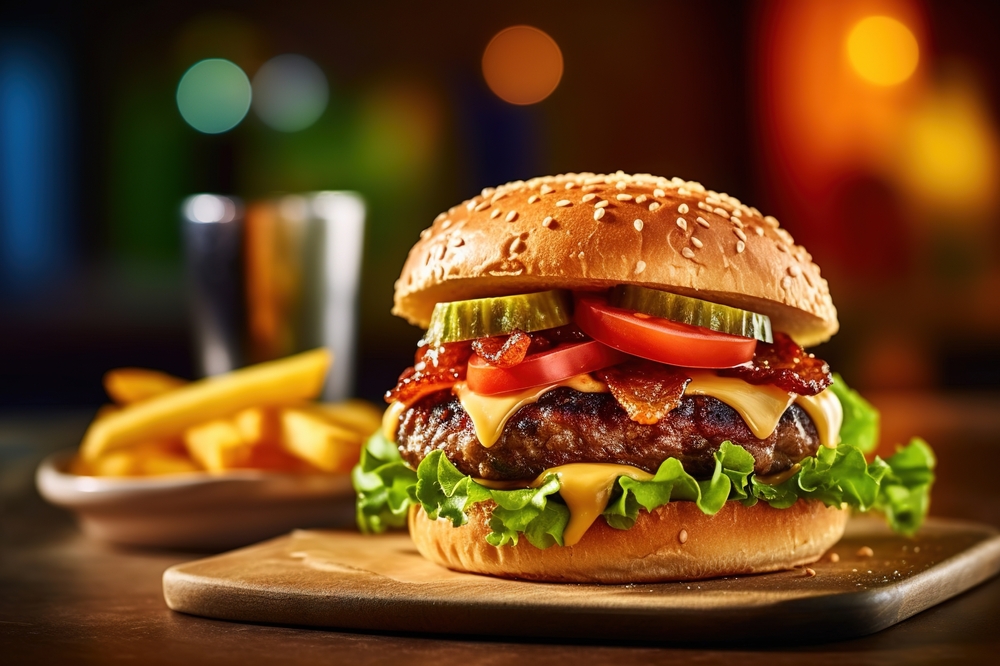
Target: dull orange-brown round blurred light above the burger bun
x,y
522,65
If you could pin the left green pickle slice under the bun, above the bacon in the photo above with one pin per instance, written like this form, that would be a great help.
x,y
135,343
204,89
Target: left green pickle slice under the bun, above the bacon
x,y
485,317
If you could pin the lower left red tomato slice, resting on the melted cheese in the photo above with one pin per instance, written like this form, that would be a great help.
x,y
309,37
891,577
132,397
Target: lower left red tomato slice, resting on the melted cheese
x,y
547,367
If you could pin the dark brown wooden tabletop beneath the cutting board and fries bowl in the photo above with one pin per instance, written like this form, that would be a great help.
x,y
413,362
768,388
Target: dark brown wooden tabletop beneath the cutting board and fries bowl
x,y
64,599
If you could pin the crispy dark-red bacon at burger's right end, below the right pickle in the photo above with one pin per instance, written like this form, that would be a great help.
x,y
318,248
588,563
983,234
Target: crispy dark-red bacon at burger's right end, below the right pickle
x,y
785,365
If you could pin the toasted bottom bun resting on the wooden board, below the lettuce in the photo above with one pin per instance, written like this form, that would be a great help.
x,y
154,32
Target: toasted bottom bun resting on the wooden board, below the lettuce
x,y
673,542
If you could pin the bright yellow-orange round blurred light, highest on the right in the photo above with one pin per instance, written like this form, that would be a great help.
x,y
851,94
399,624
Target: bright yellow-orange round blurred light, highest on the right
x,y
882,50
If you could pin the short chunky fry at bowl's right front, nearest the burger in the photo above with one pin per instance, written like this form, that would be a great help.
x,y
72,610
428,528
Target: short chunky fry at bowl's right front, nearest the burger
x,y
327,446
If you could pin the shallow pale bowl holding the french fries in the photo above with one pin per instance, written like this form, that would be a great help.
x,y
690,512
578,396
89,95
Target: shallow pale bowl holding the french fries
x,y
198,510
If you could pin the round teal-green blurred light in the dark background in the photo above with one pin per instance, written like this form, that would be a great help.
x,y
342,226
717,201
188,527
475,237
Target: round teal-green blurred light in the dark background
x,y
213,96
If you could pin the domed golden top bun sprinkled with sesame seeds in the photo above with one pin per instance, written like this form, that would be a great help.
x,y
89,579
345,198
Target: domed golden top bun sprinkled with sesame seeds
x,y
595,231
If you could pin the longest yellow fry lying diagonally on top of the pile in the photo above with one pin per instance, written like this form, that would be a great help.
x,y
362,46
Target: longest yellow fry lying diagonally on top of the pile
x,y
291,379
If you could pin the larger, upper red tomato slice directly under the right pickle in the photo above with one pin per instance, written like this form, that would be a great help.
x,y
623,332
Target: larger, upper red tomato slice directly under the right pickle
x,y
659,339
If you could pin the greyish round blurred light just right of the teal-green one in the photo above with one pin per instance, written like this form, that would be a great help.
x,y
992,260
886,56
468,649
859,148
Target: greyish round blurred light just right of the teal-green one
x,y
290,92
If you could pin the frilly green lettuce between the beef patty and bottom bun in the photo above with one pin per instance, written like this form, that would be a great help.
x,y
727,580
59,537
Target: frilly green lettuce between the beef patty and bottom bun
x,y
898,487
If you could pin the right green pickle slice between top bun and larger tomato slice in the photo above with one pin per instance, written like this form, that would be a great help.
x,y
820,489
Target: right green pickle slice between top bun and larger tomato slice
x,y
694,311
